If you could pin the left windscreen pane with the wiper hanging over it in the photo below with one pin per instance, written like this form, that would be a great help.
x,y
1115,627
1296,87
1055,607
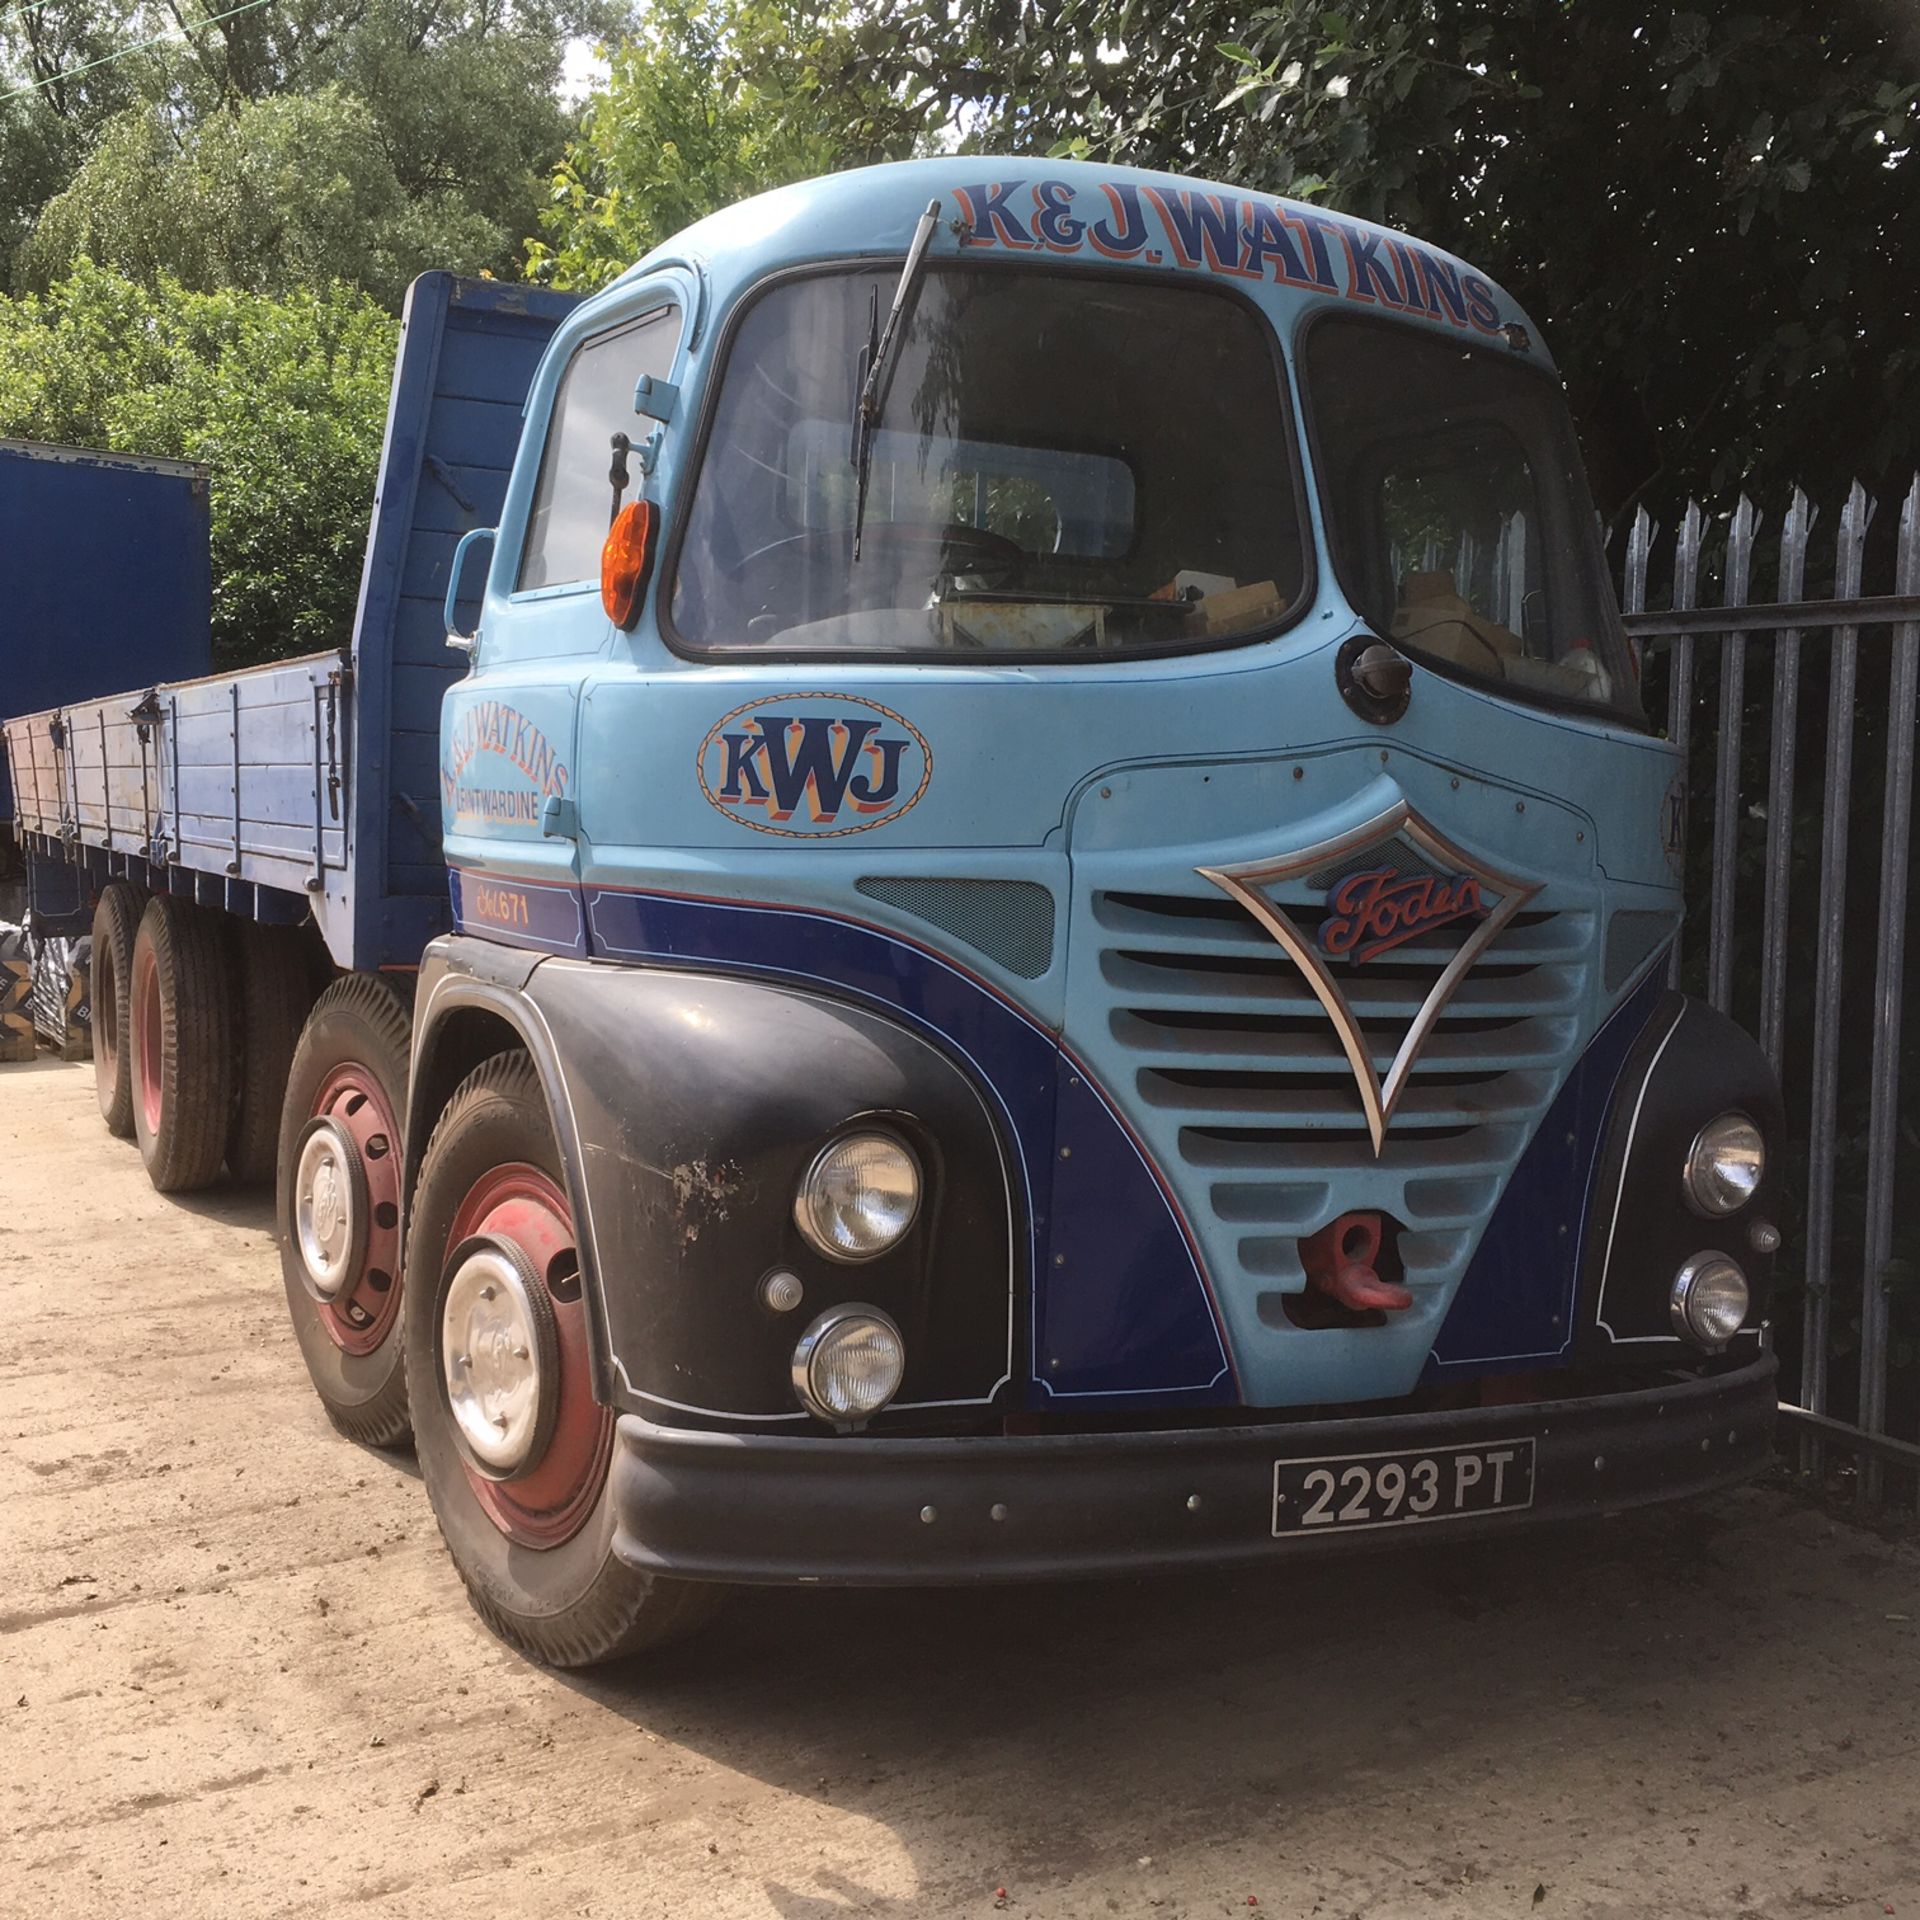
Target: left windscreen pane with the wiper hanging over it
x,y
1065,464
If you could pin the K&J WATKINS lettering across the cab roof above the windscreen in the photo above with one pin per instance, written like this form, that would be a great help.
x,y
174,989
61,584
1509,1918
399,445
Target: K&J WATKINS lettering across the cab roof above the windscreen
x,y
1224,233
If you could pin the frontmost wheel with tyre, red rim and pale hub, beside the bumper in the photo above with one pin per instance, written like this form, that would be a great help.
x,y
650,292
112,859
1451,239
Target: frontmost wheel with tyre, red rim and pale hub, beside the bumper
x,y
514,1447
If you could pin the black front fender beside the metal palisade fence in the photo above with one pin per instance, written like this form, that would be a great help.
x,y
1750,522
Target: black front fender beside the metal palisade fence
x,y
1689,1067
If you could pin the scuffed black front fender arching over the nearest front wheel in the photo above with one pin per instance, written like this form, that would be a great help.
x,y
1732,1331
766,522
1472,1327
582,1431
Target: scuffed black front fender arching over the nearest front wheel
x,y
688,1107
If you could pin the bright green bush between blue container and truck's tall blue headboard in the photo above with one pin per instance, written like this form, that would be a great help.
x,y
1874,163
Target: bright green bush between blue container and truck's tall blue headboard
x,y
285,402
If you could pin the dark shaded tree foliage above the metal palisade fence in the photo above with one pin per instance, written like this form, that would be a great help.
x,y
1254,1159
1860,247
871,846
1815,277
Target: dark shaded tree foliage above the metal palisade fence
x,y
1714,208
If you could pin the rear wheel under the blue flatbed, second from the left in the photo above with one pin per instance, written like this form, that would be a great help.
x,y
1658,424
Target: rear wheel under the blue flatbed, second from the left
x,y
180,1028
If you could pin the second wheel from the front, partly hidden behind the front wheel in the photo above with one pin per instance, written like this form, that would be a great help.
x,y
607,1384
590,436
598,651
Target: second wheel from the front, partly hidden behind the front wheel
x,y
339,1195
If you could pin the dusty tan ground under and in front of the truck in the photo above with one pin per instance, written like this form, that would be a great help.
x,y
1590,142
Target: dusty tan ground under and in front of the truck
x,y
239,1677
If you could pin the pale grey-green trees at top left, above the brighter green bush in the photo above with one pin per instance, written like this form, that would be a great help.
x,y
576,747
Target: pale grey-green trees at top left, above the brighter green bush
x,y
295,143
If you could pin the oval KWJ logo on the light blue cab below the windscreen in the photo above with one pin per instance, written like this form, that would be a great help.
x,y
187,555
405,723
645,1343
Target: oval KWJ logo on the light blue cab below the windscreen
x,y
815,765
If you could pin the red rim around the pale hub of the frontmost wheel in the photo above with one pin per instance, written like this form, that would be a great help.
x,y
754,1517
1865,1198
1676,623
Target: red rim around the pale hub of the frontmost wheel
x,y
550,1500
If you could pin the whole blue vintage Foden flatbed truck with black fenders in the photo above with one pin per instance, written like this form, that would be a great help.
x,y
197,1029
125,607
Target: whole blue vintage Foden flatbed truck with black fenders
x,y
1026,932
